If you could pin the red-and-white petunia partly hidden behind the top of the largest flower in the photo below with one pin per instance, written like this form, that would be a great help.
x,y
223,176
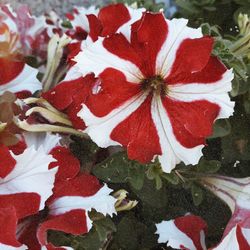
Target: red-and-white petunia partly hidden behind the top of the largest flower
x,y
114,18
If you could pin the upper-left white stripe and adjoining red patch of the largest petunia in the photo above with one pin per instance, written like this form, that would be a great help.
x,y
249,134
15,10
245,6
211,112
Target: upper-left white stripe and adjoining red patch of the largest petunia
x,y
99,56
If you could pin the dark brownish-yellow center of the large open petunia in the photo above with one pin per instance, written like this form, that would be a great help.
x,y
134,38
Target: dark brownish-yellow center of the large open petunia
x,y
155,84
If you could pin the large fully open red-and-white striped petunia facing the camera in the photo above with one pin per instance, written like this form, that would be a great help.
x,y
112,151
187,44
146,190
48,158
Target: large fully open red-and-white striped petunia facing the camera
x,y
158,94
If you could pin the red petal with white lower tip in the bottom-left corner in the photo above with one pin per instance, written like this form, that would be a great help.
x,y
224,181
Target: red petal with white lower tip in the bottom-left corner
x,y
8,222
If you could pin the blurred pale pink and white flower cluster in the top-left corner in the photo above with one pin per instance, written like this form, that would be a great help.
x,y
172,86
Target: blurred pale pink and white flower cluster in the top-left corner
x,y
33,32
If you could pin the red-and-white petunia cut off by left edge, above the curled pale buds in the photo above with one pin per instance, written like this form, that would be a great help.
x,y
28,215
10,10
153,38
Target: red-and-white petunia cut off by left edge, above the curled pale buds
x,y
17,77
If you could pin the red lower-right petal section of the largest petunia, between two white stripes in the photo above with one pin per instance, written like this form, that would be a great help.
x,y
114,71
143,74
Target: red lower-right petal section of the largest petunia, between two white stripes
x,y
192,122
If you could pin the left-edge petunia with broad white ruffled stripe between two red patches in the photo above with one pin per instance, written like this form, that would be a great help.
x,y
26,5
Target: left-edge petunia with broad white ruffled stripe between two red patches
x,y
26,181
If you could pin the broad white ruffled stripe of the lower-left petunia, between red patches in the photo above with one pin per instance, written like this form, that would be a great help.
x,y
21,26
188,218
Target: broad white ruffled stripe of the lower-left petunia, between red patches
x,y
30,175
